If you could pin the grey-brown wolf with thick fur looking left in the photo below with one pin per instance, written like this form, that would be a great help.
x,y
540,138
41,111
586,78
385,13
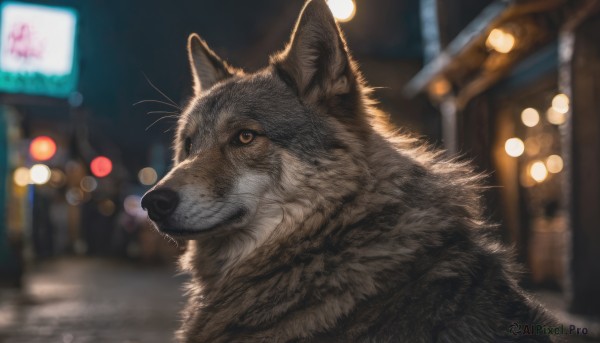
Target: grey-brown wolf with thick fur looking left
x,y
308,219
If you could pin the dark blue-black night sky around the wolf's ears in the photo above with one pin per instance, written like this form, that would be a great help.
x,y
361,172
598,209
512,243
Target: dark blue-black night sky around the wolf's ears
x,y
120,41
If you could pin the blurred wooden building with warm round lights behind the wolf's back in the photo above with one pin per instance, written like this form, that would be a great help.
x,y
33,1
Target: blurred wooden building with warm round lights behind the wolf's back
x,y
517,84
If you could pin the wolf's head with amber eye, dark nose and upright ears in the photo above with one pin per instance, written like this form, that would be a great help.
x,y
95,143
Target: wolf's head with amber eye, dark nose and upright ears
x,y
256,151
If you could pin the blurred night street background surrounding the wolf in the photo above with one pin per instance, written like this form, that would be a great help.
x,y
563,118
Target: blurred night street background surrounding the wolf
x,y
87,94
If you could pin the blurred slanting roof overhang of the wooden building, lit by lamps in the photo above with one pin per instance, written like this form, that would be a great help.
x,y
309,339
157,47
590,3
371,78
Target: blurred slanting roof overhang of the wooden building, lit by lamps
x,y
467,67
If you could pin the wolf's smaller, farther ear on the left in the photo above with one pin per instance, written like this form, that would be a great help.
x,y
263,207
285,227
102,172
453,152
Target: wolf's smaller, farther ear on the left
x,y
207,67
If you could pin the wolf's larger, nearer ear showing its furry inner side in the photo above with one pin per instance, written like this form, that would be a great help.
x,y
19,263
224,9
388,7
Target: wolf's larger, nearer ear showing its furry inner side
x,y
317,60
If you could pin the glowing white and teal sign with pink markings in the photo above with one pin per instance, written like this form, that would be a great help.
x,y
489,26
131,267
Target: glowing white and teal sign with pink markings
x,y
37,49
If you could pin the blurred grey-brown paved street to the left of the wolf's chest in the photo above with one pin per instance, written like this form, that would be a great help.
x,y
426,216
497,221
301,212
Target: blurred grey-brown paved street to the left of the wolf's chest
x,y
93,300
